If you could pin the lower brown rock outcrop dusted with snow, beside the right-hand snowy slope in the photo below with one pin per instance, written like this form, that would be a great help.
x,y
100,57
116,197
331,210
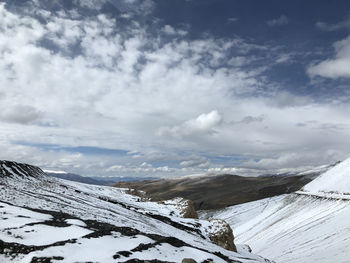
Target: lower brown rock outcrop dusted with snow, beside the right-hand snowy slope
x,y
221,234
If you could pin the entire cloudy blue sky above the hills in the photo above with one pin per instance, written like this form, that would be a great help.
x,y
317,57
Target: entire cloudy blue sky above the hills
x,y
171,88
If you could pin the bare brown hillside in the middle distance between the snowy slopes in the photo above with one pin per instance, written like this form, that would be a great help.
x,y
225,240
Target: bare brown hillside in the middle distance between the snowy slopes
x,y
223,190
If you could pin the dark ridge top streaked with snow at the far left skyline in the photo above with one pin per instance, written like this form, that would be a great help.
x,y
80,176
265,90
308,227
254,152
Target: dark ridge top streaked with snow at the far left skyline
x,y
15,170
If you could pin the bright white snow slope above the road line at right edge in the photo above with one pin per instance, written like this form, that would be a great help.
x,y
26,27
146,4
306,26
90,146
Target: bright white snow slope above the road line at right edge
x,y
332,183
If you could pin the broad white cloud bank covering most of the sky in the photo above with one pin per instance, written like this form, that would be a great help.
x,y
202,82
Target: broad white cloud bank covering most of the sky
x,y
104,83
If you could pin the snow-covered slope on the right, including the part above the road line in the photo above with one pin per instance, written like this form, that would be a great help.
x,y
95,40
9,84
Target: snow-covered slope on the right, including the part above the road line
x,y
311,225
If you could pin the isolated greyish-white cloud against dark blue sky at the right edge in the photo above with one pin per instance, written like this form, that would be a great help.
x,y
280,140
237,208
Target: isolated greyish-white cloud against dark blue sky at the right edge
x,y
337,67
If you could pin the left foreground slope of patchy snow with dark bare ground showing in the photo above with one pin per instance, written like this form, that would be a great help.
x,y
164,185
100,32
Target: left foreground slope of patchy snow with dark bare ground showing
x,y
44,219
